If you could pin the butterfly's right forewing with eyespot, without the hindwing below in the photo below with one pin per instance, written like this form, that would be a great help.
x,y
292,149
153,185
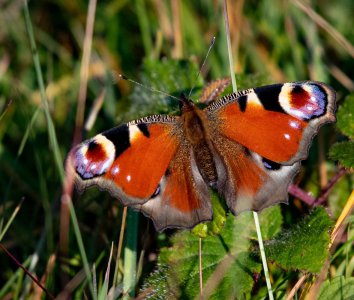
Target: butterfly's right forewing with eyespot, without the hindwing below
x,y
278,121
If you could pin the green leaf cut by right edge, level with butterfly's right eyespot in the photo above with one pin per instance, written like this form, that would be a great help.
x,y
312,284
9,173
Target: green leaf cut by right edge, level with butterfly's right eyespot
x,y
345,116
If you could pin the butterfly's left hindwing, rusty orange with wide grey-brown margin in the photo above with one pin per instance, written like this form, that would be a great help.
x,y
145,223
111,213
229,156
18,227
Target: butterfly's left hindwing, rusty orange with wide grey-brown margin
x,y
183,199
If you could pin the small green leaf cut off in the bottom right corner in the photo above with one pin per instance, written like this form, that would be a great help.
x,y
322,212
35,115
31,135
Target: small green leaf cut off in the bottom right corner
x,y
339,288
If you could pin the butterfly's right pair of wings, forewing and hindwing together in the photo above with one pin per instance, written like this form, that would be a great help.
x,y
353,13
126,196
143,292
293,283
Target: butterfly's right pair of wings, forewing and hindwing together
x,y
269,130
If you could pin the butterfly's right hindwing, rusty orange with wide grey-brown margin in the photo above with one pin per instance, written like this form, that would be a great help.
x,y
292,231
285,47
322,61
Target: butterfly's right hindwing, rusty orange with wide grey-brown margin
x,y
250,184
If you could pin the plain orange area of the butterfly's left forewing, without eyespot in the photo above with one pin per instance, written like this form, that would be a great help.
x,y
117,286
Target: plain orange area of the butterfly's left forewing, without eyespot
x,y
143,164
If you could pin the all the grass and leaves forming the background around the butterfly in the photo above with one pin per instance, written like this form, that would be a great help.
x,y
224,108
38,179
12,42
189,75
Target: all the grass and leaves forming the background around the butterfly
x,y
162,43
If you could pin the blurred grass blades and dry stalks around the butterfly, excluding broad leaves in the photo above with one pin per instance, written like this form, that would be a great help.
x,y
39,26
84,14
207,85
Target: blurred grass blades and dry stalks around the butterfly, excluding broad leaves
x,y
40,86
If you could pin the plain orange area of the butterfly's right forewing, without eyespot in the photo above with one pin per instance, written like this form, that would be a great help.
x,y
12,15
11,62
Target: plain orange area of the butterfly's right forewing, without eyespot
x,y
265,132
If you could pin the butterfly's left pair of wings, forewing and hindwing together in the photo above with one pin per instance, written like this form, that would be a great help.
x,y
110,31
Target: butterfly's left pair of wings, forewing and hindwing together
x,y
144,164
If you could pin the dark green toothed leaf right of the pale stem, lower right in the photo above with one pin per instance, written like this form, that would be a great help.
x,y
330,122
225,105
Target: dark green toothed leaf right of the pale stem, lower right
x,y
305,245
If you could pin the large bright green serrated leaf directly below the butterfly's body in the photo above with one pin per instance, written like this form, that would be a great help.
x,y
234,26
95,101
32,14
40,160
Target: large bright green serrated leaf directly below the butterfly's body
x,y
228,265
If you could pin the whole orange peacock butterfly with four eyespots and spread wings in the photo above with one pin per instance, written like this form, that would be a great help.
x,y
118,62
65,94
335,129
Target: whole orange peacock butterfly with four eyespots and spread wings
x,y
247,146
